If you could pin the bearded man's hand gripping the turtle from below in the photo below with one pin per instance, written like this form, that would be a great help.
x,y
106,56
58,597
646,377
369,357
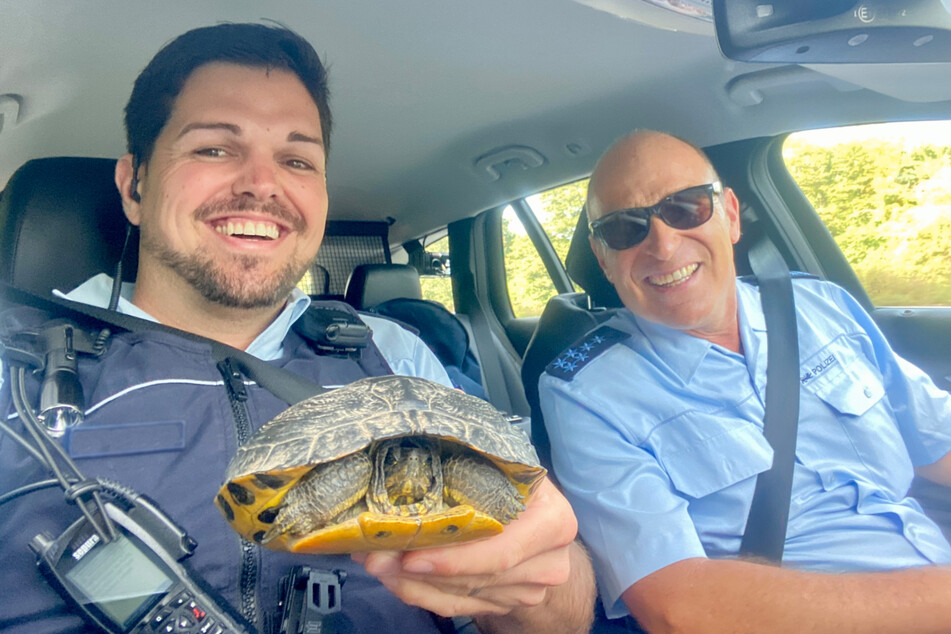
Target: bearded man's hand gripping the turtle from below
x,y
533,572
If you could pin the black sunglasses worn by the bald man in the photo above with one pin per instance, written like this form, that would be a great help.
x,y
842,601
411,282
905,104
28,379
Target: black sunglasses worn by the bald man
x,y
685,209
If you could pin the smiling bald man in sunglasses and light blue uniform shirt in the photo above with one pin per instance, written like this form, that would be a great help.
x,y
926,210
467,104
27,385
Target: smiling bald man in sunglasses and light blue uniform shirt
x,y
656,426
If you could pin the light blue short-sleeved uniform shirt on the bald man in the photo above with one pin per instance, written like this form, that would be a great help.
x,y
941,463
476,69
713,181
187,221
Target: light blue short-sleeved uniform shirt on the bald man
x,y
657,441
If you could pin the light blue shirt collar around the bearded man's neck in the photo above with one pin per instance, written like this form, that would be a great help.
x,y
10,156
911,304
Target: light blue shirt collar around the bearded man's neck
x,y
268,345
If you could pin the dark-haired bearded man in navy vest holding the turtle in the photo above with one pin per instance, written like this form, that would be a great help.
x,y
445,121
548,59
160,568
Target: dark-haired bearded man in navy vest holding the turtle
x,y
228,129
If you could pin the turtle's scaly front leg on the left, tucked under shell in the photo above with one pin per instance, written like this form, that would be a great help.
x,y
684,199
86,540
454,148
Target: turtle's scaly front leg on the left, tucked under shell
x,y
321,495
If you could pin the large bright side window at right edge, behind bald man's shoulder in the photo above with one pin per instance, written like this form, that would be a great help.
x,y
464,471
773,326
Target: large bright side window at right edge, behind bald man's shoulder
x,y
884,192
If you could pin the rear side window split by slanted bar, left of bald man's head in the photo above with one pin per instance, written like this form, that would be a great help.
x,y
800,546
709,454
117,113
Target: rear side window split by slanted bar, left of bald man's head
x,y
556,210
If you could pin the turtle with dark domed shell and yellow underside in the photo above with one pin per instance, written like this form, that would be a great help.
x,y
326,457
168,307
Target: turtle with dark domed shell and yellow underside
x,y
391,462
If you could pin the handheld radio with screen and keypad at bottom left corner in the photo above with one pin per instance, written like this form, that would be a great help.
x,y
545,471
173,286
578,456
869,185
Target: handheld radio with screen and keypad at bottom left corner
x,y
135,582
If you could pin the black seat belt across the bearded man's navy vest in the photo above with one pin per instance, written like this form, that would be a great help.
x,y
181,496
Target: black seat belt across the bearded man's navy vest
x,y
284,384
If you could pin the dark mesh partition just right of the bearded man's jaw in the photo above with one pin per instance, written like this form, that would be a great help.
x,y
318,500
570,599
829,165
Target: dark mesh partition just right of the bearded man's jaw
x,y
346,244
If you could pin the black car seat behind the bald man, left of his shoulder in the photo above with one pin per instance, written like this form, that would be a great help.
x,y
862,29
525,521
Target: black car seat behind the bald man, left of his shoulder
x,y
566,318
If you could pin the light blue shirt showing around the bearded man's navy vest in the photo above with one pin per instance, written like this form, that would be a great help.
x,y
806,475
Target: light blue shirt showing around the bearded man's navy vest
x,y
405,352
